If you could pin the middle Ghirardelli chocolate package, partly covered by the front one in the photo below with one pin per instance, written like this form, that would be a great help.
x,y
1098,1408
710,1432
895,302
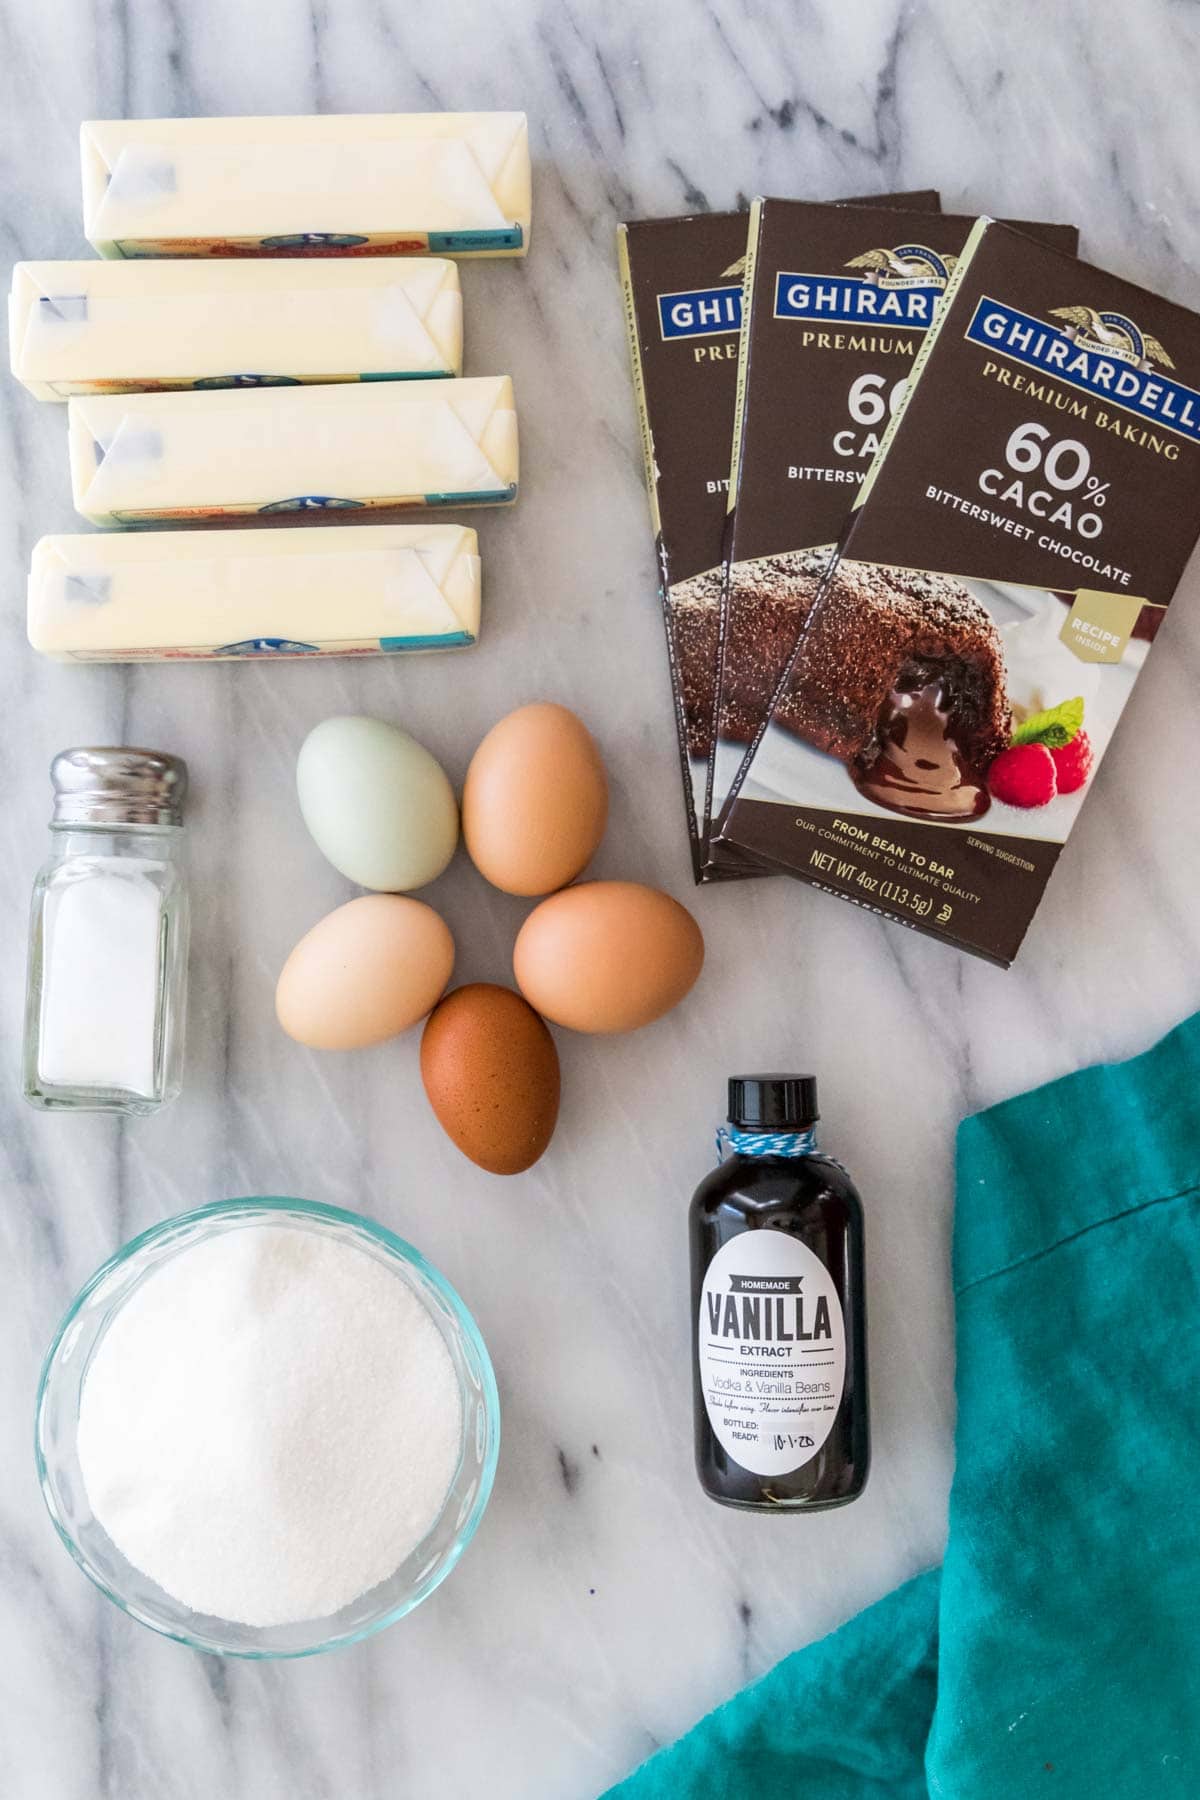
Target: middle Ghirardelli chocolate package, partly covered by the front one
x,y
836,310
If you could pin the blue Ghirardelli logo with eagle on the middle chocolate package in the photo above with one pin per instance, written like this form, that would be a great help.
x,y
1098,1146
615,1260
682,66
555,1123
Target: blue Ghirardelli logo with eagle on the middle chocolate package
x,y
897,287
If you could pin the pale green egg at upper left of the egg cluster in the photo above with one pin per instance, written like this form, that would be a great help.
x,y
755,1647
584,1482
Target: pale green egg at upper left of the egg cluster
x,y
377,804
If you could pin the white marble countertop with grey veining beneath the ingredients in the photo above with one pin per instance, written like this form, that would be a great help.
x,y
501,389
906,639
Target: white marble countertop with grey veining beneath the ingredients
x,y
605,1603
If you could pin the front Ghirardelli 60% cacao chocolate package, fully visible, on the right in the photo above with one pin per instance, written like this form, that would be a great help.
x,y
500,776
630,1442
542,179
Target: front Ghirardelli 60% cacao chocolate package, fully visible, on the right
x,y
972,647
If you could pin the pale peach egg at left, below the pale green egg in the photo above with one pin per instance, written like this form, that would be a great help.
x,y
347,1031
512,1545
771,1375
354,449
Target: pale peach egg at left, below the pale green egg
x,y
364,973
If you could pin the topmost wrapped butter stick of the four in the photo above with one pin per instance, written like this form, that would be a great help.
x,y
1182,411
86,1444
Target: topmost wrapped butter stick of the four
x,y
409,184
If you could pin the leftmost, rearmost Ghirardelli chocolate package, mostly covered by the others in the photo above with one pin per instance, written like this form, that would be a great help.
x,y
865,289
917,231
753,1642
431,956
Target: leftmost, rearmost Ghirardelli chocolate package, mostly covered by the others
x,y
683,294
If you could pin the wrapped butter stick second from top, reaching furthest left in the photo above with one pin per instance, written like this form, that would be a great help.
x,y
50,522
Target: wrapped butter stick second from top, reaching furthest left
x,y
111,328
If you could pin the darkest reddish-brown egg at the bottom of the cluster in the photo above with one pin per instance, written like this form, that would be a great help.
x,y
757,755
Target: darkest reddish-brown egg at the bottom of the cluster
x,y
490,1072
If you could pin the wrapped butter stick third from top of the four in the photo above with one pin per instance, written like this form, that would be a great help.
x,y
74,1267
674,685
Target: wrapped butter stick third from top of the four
x,y
355,445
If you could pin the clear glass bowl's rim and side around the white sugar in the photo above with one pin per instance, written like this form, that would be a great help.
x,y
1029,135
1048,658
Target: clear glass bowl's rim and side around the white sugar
x,y
58,1416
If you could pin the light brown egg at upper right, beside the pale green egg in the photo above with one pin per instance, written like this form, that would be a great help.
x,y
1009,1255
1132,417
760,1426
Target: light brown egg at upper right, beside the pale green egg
x,y
535,800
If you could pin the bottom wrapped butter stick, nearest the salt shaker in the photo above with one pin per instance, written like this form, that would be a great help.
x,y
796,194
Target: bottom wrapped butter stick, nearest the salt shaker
x,y
143,597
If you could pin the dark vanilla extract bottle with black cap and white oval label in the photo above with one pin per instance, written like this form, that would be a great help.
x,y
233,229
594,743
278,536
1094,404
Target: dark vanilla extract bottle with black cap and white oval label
x,y
780,1356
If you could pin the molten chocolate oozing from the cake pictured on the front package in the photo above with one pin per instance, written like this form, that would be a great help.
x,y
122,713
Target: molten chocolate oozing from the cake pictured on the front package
x,y
920,768
